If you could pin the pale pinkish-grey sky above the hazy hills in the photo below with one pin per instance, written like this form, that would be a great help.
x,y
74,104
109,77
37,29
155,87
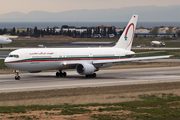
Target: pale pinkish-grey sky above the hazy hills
x,y
26,6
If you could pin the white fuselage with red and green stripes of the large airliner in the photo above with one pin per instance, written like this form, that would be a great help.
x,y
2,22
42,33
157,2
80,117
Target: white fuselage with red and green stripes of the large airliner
x,y
39,59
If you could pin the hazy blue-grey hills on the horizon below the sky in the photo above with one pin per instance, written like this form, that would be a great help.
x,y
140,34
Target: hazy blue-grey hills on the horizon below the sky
x,y
146,14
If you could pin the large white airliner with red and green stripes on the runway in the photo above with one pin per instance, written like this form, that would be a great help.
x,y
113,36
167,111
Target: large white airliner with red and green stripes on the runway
x,y
86,61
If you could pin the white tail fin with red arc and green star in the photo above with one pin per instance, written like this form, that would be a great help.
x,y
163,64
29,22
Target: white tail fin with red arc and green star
x,y
126,39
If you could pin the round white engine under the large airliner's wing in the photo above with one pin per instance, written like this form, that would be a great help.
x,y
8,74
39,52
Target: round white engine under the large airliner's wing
x,y
85,69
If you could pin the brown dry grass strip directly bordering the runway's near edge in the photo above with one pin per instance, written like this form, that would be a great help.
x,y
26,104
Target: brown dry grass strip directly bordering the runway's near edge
x,y
15,96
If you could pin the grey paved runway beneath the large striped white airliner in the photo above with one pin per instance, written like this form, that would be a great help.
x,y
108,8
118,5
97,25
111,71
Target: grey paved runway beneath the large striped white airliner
x,y
48,81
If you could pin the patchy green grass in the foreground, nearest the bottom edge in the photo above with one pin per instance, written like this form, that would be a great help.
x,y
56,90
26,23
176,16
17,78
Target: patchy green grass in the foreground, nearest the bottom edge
x,y
155,106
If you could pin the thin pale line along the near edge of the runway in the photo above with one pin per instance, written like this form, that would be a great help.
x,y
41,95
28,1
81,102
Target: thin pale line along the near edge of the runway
x,y
55,86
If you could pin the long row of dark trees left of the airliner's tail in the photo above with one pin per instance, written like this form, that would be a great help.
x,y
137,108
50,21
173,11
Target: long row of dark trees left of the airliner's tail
x,y
35,32
